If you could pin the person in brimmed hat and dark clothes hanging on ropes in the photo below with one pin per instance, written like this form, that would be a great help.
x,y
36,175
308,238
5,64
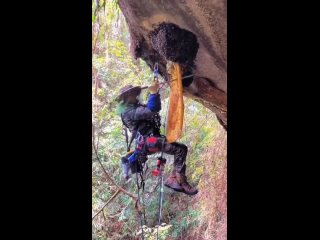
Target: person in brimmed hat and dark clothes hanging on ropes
x,y
144,120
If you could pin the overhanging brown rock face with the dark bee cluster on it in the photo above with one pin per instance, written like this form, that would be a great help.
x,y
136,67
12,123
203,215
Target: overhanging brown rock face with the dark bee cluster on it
x,y
190,32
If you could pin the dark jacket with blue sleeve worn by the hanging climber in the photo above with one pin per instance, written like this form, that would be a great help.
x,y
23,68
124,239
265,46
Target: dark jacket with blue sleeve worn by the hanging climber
x,y
144,119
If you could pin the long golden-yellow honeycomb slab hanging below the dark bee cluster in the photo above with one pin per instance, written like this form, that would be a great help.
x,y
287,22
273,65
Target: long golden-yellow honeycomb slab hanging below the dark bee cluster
x,y
175,113
